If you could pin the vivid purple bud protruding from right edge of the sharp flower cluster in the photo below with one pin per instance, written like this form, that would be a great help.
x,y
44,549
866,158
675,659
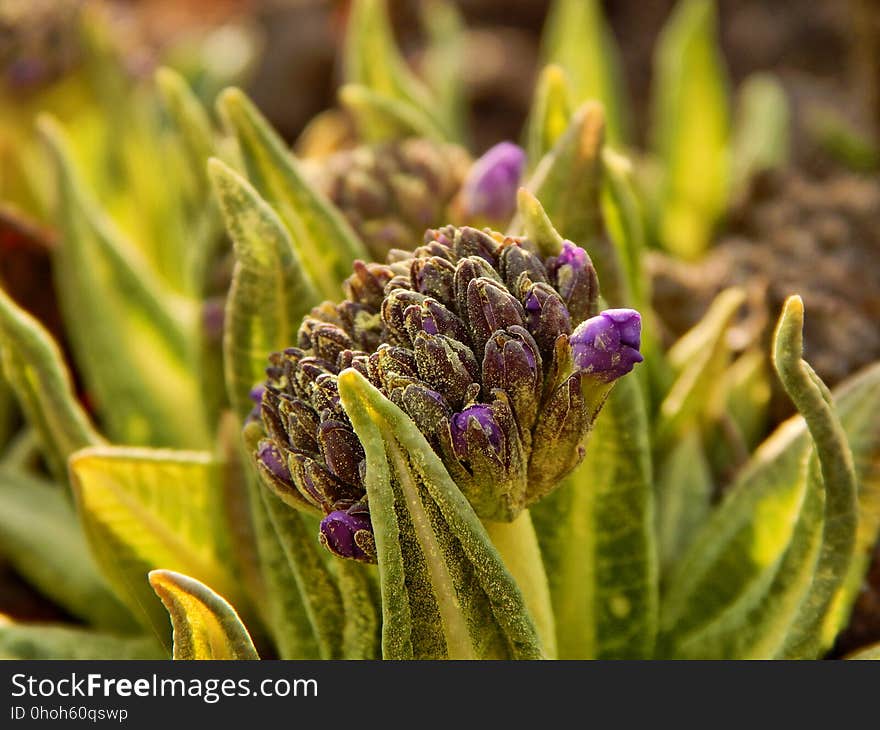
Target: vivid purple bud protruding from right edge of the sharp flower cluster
x,y
607,345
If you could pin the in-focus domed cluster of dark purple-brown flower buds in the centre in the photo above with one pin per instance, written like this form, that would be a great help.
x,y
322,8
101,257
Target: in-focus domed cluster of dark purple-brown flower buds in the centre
x,y
489,347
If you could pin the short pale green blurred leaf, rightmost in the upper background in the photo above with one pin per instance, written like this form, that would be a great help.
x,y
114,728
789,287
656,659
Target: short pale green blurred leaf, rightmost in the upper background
x,y
761,135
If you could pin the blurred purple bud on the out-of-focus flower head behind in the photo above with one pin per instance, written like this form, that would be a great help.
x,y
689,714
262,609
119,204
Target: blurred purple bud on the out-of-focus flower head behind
x,y
489,190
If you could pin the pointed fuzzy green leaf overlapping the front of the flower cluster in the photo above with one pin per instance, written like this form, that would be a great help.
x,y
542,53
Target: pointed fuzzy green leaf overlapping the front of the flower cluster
x,y
445,589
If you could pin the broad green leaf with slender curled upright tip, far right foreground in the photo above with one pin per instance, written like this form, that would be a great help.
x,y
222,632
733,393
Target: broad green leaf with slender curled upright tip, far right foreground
x,y
763,577
